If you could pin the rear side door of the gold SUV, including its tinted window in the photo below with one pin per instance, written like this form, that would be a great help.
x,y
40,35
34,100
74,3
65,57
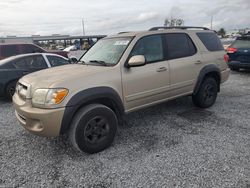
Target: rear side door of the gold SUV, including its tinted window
x,y
184,61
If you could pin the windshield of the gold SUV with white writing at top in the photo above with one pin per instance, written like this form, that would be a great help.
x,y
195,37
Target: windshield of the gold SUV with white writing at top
x,y
106,51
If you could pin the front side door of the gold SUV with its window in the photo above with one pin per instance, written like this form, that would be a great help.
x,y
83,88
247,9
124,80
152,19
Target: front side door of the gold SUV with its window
x,y
147,84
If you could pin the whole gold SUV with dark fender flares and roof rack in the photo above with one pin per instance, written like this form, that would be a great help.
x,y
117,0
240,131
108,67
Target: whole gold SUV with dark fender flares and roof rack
x,y
120,74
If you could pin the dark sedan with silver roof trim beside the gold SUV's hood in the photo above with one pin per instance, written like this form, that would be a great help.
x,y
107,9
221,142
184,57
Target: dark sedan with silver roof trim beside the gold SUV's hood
x,y
13,68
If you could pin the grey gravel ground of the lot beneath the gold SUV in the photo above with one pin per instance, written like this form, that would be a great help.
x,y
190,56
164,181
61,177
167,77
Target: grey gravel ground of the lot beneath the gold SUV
x,y
170,145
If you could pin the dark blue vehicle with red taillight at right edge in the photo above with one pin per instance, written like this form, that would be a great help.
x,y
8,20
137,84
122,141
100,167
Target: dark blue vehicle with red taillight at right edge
x,y
239,53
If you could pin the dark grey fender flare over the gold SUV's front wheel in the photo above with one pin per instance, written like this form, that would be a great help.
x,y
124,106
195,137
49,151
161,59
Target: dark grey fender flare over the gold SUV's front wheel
x,y
85,97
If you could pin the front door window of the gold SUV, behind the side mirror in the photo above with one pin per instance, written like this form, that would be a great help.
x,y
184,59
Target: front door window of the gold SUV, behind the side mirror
x,y
150,47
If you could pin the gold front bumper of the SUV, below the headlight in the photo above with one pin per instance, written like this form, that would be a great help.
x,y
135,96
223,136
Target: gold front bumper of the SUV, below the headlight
x,y
42,122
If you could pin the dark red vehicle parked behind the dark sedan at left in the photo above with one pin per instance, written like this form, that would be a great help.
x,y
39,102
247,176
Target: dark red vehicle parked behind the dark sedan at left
x,y
8,50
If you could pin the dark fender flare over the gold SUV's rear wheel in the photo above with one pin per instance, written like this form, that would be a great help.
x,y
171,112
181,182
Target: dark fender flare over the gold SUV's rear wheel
x,y
204,72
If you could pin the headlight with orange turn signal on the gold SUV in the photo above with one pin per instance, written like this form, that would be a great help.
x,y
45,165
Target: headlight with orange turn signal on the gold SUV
x,y
48,97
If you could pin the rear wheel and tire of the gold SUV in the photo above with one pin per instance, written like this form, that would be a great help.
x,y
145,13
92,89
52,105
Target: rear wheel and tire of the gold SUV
x,y
207,93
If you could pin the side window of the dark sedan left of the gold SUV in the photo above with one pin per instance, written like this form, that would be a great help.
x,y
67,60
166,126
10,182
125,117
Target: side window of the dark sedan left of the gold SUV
x,y
30,62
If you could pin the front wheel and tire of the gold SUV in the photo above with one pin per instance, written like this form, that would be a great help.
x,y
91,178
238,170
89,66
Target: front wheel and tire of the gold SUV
x,y
93,128
